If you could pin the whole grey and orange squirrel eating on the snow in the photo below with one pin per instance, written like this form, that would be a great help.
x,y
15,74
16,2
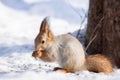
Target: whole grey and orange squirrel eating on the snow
x,y
68,52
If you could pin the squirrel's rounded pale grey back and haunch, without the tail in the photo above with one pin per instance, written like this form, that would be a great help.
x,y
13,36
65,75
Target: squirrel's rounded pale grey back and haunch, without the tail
x,y
71,52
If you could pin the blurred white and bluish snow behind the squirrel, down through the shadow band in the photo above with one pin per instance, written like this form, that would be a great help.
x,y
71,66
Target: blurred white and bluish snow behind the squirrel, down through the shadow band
x,y
20,21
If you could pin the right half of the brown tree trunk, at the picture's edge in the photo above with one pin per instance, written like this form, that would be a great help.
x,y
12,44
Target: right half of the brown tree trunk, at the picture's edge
x,y
111,30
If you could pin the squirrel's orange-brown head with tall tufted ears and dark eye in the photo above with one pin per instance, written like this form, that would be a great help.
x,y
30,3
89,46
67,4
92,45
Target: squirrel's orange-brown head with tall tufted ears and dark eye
x,y
45,36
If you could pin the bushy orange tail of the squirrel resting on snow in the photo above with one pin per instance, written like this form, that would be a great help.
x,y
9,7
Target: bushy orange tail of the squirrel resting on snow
x,y
99,63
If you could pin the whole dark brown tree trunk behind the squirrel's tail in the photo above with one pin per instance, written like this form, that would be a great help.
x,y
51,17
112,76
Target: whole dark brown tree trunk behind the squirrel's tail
x,y
107,41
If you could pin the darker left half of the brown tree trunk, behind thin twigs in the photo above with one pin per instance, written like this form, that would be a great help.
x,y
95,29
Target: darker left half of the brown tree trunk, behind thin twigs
x,y
94,15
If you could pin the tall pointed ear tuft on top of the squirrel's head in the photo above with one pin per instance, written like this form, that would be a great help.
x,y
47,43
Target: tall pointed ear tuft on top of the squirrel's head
x,y
44,28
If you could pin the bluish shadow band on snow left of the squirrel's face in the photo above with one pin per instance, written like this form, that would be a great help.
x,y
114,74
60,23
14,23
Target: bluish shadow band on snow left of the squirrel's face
x,y
7,50
